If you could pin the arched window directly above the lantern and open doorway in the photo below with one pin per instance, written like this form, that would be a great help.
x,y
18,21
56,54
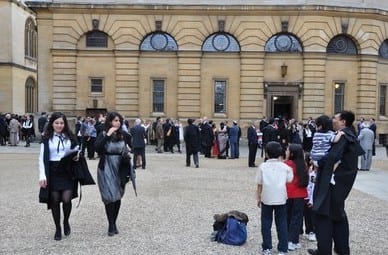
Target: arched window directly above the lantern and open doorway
x,y
283,42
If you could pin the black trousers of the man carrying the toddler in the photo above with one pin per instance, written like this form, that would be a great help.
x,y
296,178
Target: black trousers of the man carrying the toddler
x,y
328,230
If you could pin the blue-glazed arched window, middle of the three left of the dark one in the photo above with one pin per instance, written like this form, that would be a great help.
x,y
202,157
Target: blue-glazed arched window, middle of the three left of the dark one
x,y
221,42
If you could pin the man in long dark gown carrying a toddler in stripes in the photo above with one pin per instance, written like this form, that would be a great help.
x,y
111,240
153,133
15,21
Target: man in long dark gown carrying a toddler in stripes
x,y
331,222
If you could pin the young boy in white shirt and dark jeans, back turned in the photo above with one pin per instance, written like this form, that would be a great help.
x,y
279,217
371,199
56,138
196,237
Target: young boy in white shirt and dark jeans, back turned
x,y
272,176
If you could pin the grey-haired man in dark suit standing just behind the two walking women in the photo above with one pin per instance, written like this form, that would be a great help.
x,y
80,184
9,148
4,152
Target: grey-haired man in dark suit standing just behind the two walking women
x,y
138,144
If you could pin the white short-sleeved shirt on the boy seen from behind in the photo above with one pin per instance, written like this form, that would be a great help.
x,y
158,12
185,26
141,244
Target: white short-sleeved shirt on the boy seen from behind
x,y
273,176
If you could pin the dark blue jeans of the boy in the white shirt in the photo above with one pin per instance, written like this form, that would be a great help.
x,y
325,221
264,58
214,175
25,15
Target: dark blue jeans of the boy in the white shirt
x,y
281,226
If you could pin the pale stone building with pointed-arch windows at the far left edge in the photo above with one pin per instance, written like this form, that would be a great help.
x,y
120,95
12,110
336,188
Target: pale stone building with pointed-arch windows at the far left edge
x,y
18,58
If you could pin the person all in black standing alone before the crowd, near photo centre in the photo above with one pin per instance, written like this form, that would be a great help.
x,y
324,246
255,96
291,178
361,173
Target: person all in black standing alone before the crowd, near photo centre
x,y
192,139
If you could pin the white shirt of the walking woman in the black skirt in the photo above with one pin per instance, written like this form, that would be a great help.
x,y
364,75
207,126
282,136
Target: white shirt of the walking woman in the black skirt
x,y
58,148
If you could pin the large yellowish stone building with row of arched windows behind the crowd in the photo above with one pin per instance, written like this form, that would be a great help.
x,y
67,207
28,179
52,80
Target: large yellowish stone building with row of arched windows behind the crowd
x,y
227,60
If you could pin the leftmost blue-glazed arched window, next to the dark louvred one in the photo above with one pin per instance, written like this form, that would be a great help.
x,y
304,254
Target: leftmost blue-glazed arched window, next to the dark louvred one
x,y
158,41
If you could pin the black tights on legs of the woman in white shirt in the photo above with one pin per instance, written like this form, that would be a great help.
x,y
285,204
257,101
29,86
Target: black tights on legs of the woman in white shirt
x,y
63,196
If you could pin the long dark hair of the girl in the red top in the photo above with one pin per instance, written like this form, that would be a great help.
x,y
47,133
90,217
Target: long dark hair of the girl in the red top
x,y
297,156
